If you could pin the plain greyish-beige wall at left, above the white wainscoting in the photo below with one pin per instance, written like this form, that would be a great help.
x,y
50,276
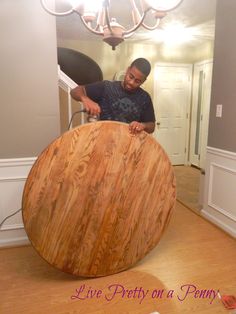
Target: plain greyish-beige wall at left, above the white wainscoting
x,y
29,106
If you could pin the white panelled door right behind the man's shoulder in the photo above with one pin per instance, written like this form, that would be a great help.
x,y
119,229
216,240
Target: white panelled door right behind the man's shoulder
x,y
172,94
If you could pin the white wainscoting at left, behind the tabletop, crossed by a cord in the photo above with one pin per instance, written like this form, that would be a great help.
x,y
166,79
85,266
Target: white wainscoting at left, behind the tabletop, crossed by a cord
x,y
13,174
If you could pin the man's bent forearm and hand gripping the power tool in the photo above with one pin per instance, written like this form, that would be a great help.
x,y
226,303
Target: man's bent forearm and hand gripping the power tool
x,y
79,93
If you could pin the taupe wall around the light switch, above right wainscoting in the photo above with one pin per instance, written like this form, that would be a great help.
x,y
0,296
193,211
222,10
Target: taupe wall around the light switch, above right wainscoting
x,y
222,131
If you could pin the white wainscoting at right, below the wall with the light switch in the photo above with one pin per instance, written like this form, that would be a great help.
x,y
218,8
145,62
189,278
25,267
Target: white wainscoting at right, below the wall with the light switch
x,y
220,189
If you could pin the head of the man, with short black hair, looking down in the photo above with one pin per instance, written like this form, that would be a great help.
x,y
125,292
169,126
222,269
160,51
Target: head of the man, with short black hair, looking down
x,y
136,74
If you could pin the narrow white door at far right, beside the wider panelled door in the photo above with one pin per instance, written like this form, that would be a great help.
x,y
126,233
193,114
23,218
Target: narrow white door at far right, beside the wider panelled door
x,y
200,112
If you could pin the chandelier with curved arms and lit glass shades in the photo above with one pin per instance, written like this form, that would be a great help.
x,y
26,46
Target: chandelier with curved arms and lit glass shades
x,y
95,16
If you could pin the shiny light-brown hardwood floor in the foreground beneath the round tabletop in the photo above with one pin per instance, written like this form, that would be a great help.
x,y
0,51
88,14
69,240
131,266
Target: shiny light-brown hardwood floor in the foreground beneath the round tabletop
x,y
193,255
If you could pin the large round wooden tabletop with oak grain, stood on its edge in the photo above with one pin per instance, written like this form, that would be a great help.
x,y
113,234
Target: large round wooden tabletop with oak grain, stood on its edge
x,y
98,199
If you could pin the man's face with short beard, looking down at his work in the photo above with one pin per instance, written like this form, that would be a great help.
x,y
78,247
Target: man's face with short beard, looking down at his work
x,y
133,79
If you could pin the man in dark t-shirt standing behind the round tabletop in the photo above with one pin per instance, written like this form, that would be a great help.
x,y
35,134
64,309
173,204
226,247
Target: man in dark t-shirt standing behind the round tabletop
x,y
122,101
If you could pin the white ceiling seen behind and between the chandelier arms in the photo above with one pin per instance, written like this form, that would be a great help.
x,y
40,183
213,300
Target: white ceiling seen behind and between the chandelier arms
x,y
198,16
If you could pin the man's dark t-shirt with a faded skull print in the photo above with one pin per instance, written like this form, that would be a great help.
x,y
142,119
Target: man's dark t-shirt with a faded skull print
x,y
120,105
